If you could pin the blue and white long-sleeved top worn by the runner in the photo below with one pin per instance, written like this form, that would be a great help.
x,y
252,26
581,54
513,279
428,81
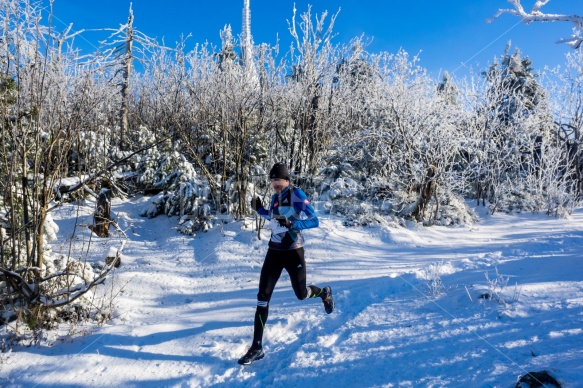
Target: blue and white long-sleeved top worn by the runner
x,y
293,203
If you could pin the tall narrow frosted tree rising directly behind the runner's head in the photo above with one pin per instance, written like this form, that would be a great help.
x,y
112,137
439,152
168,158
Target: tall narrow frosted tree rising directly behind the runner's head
x,y
309,90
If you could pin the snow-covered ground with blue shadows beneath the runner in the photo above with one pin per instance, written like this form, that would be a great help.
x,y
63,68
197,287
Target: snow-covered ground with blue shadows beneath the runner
x,y
409,311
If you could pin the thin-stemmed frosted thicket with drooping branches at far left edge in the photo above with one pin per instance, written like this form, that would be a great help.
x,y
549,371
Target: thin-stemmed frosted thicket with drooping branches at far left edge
x,y
45,101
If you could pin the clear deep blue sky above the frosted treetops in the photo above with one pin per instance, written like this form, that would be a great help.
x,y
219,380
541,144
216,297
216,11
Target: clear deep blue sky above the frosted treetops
x,y
450,35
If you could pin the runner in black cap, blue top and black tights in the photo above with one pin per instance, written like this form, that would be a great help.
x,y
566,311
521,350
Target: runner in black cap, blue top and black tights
x,y
289,212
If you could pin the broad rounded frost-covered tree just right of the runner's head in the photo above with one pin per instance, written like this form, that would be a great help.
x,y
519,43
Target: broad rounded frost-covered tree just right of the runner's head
x,y
396,135
